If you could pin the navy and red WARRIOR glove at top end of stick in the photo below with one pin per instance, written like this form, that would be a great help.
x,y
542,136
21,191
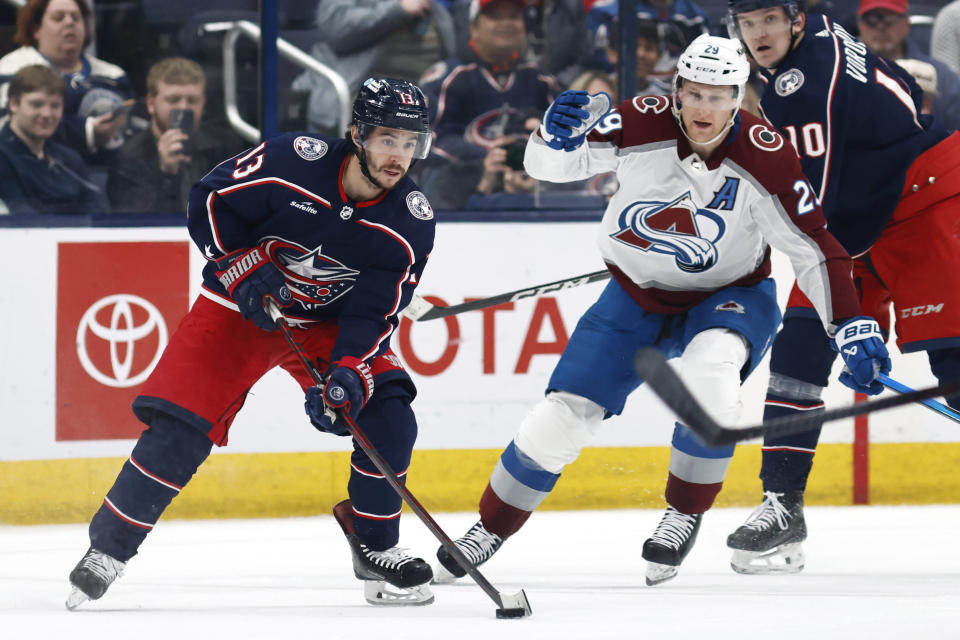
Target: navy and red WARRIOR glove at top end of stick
x,y
250,278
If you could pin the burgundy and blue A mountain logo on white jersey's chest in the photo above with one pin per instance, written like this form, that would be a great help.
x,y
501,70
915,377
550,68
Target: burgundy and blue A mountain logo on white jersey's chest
x,y
677,228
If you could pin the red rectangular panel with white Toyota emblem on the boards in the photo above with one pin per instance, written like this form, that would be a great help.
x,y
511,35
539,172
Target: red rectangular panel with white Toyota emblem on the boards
x,y
117,304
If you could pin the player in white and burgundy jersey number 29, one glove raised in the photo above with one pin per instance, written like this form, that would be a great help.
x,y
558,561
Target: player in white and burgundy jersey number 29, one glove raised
x,y
705,190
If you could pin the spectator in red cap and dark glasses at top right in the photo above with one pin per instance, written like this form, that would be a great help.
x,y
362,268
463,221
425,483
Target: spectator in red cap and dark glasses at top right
x,y
884,27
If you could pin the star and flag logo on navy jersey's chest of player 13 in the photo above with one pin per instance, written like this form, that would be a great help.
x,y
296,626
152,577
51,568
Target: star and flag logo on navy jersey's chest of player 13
x,y
315,280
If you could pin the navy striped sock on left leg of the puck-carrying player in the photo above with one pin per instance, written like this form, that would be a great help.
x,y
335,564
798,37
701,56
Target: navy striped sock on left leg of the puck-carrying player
x,y
164,459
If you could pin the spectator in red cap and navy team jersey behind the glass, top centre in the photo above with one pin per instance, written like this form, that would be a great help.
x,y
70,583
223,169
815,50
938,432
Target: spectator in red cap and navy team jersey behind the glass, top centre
x,y
482,109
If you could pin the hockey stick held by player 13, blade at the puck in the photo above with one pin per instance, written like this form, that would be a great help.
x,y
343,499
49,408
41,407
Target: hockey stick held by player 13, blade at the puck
x,y
509,606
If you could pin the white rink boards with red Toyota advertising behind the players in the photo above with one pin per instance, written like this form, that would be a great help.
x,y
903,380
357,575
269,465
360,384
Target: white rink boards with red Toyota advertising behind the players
x,y
90,323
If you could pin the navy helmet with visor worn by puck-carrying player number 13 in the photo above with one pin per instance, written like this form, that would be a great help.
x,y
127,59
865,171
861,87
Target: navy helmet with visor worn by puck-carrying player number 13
x,y
393,104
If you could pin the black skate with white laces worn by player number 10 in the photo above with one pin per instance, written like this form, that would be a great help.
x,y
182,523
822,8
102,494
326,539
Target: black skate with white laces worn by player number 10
x,y
769,541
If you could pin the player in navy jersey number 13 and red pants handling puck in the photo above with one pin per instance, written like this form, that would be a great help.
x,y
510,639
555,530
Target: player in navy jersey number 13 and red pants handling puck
x,y
334,232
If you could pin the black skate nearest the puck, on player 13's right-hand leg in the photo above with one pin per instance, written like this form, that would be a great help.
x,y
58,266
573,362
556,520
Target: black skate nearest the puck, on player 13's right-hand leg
x,y
381,570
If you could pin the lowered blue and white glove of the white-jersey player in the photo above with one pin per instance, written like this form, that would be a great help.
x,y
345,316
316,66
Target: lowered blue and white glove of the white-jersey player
x,y
861,346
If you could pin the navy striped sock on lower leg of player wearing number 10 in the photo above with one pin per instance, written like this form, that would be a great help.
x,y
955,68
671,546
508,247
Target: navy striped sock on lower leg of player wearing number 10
x,y
787,460
